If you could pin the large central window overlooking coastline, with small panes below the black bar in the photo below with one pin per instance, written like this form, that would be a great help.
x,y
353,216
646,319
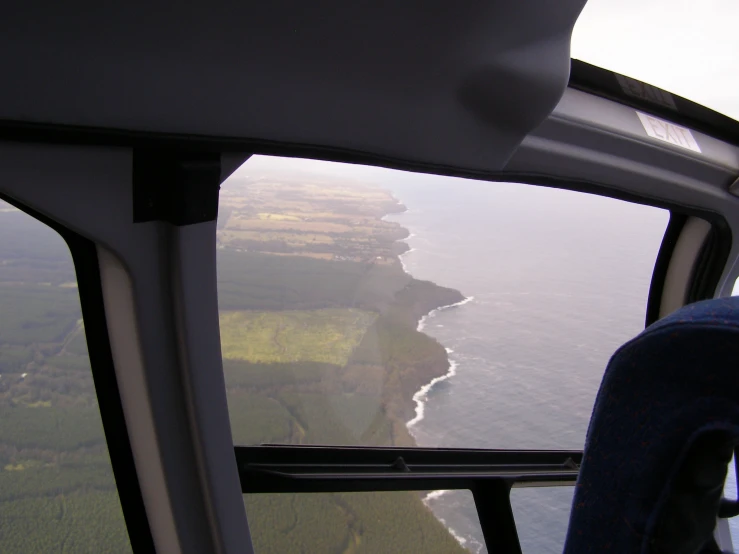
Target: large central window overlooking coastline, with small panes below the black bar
x,y
363,306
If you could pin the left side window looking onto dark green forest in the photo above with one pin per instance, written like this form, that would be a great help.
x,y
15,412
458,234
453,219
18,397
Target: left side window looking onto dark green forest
x,y
57,491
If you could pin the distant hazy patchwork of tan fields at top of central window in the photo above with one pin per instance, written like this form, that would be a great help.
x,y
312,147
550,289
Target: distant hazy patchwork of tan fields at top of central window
x,y
304,218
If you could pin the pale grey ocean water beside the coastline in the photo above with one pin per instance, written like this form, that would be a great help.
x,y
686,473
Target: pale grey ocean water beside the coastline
x,y
555,282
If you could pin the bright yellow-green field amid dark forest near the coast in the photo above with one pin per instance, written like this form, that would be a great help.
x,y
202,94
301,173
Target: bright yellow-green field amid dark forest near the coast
x,y
327,336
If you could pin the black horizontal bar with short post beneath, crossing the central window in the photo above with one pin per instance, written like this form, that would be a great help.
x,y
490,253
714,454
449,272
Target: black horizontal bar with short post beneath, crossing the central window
x,y
488,474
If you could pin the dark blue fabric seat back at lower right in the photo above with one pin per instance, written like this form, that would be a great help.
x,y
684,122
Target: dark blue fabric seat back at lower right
x,y
663,429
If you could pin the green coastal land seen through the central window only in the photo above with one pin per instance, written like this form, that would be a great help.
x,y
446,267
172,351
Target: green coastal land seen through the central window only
x,y
318,326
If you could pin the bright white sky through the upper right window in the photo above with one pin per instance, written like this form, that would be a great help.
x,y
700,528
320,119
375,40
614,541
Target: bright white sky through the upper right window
x,y
688,47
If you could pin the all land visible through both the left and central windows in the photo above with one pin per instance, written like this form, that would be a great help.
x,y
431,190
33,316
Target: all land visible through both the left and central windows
x,y
318,326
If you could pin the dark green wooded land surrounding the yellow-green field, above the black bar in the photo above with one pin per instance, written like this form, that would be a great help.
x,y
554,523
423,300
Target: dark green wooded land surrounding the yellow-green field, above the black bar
x,y
390,363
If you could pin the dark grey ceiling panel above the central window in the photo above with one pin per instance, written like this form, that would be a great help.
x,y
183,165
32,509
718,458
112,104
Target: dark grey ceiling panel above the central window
x,y
446,83
